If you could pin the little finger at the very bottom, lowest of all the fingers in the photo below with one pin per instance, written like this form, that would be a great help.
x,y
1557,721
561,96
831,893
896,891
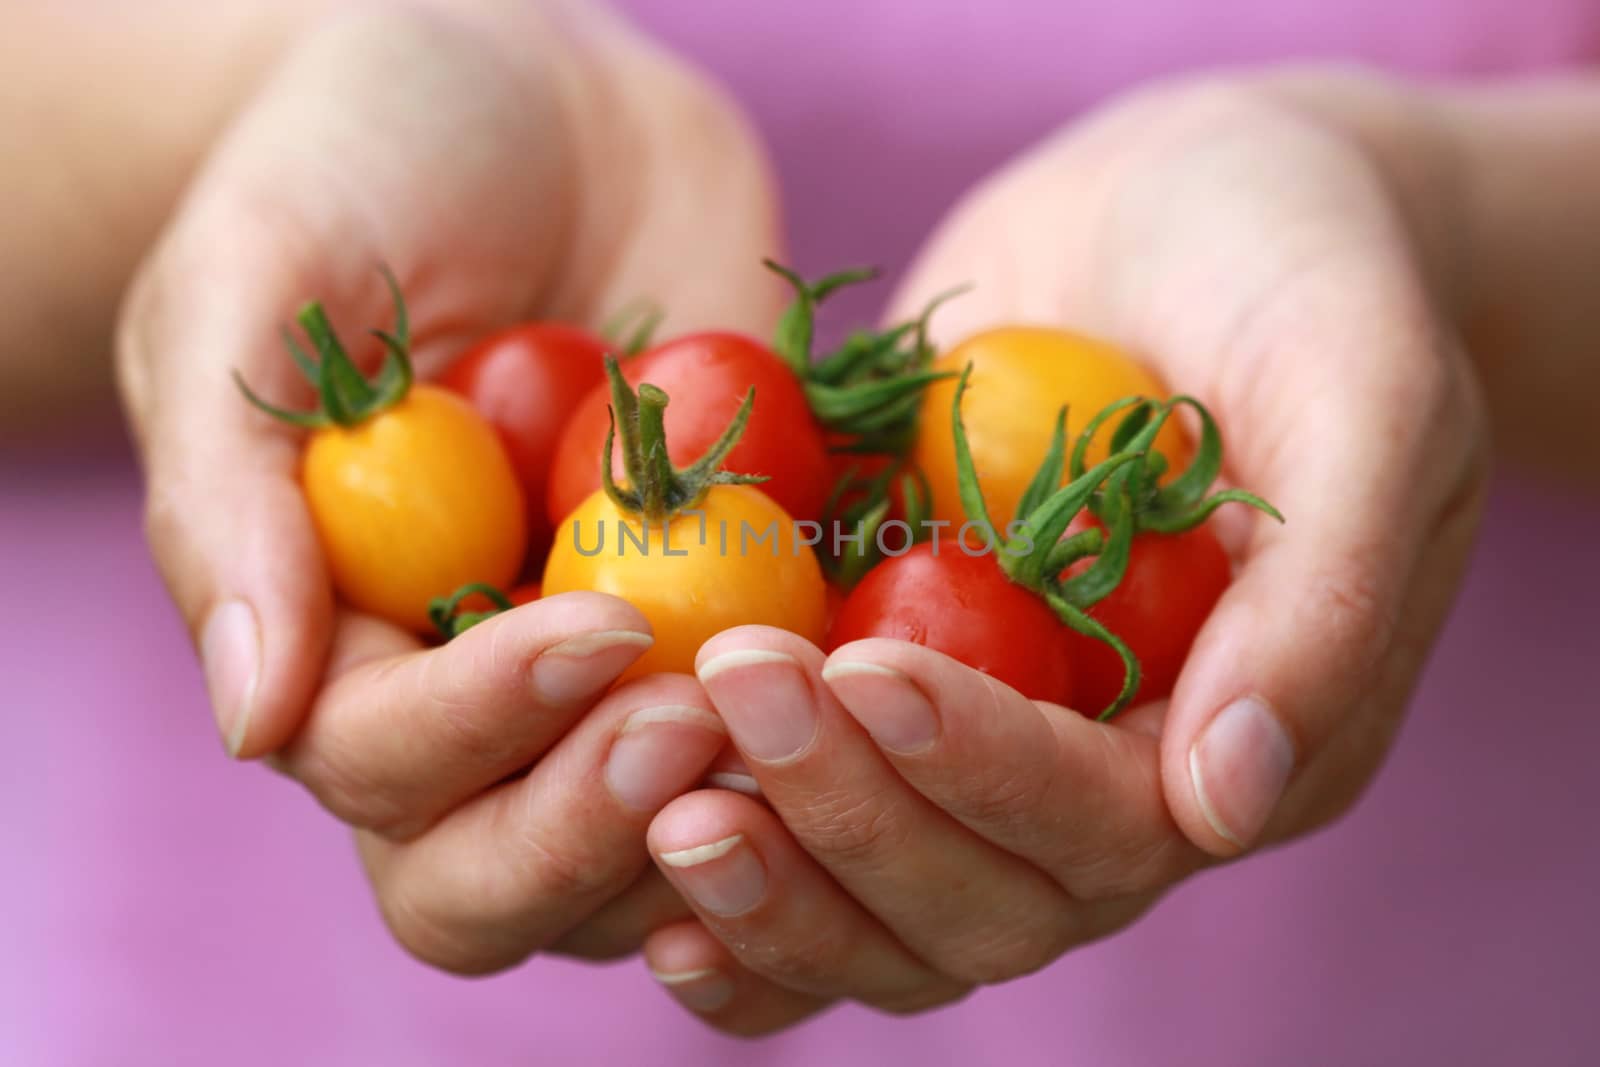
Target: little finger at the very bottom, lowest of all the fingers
x,y
703,977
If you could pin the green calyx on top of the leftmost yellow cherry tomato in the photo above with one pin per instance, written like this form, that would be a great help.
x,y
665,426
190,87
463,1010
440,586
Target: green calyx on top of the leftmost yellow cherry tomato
x,y
345,396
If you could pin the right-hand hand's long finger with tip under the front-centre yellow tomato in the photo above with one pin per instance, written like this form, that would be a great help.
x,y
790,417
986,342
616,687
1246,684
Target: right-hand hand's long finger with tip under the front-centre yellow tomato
x,y
966,906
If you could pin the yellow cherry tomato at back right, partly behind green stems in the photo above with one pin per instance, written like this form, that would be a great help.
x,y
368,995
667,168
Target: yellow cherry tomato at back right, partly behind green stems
x,y
1022,377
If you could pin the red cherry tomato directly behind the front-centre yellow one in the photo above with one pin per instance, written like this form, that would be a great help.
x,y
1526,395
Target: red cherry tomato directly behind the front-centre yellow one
x,y
708,375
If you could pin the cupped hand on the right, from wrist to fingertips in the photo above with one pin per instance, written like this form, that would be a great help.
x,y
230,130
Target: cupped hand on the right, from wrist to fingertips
x,y
930,829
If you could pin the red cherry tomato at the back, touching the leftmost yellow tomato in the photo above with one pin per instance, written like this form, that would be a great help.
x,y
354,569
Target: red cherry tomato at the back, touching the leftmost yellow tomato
x,y
527,382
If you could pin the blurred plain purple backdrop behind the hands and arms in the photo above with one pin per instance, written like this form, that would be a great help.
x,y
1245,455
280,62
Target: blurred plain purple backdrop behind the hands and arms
x,y
164,906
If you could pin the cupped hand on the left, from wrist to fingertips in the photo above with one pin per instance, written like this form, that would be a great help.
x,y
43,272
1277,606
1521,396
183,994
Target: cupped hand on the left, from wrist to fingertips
x,y
508,162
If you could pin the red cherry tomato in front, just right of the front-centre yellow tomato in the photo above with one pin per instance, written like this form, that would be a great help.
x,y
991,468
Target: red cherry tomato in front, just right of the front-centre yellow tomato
x,y
964,607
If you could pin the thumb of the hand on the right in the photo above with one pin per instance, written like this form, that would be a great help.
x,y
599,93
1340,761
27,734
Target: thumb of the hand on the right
x,y
1289,703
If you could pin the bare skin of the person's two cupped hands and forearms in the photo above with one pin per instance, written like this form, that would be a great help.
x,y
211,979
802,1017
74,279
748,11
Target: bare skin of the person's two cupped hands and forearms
x,y
1354,241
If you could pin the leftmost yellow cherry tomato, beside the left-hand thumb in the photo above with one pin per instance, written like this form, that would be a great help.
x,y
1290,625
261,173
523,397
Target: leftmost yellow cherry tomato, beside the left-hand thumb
x,y
414,503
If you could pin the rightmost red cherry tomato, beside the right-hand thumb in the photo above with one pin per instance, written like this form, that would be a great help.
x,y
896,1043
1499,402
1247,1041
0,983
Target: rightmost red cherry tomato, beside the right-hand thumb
x,y
1172,585
